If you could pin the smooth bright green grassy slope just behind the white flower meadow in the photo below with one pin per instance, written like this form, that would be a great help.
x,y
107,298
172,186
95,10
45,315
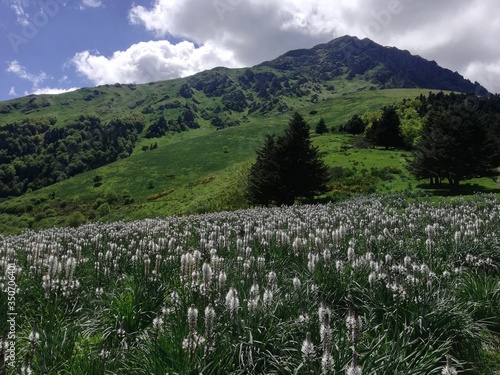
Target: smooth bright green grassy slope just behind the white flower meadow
x,y
197,171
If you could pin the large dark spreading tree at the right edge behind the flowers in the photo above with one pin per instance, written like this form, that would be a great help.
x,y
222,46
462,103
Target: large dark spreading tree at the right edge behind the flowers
x,y
455,144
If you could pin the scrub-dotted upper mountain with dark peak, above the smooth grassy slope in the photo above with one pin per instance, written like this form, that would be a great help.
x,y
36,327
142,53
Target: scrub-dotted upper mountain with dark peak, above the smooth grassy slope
x,y
346,64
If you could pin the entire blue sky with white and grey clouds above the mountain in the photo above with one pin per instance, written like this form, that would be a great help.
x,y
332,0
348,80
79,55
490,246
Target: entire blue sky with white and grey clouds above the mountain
x,y
54,46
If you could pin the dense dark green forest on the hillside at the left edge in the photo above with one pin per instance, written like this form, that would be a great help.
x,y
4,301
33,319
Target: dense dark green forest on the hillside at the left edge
x,y
34,154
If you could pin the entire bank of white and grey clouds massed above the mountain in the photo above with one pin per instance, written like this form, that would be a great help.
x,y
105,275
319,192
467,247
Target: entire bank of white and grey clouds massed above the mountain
x,y
455,33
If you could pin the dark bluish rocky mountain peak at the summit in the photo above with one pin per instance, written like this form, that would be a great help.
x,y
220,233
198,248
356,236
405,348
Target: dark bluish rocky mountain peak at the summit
x,y
385,67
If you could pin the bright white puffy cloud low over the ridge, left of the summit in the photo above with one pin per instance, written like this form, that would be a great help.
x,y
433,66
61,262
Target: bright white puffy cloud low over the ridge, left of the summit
x,y
151,61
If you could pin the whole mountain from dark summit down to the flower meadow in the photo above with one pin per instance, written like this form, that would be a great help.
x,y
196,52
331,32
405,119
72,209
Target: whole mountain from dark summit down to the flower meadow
x,y
89,146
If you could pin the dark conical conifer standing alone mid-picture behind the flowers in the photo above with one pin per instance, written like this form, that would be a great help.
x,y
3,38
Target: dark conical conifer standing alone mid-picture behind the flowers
x,y
287,167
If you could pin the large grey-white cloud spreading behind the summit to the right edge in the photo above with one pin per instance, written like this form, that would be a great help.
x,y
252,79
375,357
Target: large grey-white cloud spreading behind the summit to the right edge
x,y
455,33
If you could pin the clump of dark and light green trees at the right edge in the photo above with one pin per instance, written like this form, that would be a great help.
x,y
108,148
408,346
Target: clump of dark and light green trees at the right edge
x,y
453,137
